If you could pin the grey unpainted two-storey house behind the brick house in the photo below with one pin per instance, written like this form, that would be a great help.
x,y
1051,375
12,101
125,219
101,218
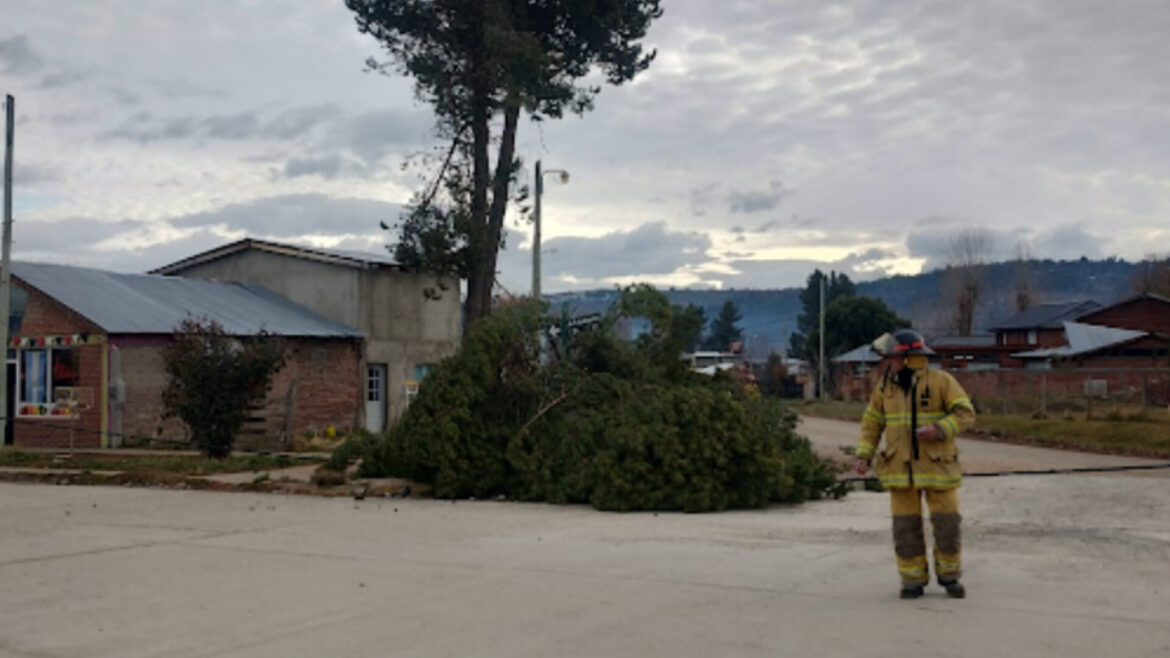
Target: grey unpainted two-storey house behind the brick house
x,y
411,321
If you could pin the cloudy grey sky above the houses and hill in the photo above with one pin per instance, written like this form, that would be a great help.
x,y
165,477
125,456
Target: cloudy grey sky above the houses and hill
x,y
769,138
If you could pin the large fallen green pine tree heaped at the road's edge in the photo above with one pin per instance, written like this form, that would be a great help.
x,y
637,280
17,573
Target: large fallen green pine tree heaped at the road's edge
x,y
617,424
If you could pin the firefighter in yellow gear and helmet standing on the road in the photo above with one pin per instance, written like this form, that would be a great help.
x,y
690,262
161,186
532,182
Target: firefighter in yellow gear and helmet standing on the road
x,y
920,412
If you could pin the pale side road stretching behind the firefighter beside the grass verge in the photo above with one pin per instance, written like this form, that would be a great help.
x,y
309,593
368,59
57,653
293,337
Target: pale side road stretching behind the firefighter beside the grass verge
x,y
978,456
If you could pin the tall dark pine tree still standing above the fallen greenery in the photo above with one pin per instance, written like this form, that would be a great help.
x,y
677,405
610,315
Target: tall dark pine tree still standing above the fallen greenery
x,y
480,65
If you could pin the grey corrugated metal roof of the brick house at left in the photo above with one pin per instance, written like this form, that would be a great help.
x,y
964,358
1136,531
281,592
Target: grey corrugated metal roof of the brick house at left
x,y
144,304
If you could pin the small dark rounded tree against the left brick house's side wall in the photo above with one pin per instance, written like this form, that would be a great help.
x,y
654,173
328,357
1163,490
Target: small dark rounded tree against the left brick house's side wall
x,y
214,378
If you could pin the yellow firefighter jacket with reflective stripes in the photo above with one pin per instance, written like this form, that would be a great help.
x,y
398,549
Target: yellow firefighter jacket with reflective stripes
x,y
935,399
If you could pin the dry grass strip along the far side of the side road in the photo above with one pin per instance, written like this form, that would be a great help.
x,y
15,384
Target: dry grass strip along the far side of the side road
x,y
1128,433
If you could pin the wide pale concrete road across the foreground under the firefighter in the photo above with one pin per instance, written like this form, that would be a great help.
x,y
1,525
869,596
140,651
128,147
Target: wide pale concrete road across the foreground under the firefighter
x,y
1069,566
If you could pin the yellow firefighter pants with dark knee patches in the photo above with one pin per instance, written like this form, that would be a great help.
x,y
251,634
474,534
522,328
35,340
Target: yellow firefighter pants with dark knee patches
x,y
911,546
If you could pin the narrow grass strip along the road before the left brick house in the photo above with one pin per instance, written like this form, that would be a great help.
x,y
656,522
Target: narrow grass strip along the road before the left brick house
x,y
176,465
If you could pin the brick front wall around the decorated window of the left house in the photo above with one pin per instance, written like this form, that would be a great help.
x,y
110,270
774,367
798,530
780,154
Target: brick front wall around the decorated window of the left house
x,y
46,318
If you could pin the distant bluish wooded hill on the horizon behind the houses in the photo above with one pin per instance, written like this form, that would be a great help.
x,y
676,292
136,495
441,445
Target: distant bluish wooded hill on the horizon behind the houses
x,y
770,317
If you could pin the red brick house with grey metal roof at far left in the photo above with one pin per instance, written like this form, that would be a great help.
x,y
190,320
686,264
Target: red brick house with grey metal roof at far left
x,y
86,359
